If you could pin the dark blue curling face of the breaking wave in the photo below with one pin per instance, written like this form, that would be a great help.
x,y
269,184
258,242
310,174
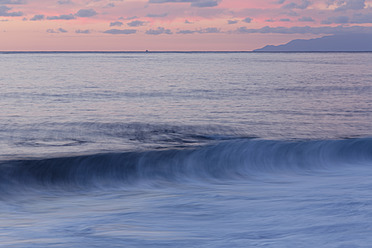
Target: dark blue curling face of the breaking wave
x,y
239,159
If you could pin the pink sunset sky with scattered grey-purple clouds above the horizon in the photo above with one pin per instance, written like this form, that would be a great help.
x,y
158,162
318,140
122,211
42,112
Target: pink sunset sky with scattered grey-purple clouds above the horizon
x,y
174,25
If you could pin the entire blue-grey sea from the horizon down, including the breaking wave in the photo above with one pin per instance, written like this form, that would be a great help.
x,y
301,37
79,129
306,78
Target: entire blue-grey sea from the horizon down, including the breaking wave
x,y
186,150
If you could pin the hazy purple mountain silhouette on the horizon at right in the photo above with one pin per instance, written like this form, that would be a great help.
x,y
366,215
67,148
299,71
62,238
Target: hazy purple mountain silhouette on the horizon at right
x,y
333,43
